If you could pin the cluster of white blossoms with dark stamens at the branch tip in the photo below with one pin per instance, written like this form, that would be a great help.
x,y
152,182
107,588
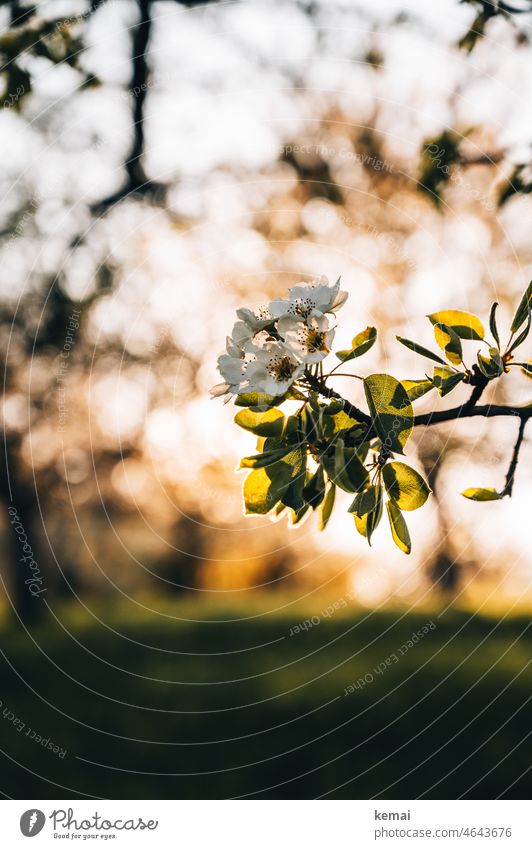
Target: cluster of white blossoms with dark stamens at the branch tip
x,y
269,349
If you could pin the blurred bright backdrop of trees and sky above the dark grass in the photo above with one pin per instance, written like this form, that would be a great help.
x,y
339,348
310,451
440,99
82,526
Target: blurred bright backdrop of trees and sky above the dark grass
x,y
165,162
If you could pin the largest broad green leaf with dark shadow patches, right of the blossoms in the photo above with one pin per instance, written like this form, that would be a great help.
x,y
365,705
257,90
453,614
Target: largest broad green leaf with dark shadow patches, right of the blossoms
x,y
391,410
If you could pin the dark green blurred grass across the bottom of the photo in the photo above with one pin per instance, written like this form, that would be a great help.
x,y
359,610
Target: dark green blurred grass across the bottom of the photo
x,y
151,707
